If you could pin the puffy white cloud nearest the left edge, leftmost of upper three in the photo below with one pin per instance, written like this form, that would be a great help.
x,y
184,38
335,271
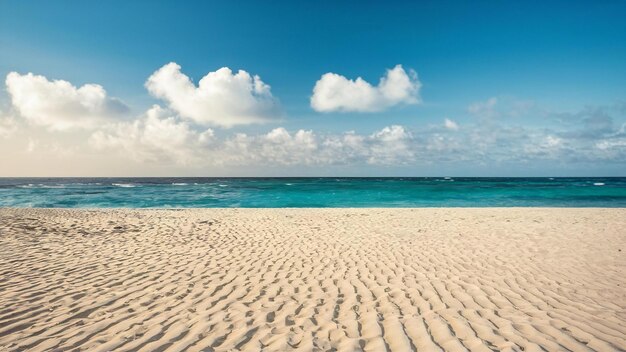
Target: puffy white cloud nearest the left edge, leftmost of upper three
x,y
58,105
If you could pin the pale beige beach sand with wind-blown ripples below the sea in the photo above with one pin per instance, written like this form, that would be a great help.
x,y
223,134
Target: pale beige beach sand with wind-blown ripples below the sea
x,y
338,279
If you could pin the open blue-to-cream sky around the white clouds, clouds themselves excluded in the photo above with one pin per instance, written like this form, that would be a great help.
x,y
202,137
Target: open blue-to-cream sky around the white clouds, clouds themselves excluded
x,y
551,68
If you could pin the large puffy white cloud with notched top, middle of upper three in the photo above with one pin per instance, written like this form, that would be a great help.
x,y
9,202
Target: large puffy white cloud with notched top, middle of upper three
x,y
222,98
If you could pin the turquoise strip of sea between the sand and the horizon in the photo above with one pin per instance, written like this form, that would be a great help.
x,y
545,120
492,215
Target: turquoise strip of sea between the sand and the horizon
x,y
312,192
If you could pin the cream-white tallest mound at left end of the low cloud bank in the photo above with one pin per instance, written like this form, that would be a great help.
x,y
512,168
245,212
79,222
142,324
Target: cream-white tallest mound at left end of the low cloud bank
x,y
156,137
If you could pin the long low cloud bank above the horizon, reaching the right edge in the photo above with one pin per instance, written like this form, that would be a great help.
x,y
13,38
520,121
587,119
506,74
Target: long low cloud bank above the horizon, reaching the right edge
x,y
390,146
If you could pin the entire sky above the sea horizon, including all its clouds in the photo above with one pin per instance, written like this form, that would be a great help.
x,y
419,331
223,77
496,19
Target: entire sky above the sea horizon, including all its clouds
x,y
324,88
